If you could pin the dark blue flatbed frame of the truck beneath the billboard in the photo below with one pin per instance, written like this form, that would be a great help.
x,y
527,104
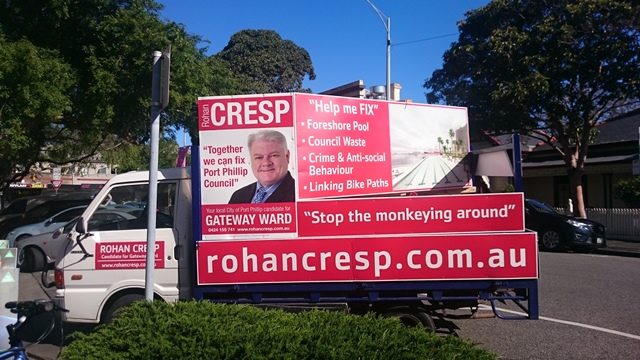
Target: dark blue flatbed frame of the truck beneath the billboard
x,y
406,299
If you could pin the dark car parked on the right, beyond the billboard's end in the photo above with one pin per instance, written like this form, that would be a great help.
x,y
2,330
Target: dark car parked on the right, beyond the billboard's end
x,y
558,232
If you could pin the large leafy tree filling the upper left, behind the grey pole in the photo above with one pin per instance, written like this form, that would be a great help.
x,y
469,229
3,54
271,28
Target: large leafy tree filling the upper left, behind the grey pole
x,y
89,78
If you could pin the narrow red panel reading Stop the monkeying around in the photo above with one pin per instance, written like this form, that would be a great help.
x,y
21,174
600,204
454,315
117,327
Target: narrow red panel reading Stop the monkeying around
x,y
412,214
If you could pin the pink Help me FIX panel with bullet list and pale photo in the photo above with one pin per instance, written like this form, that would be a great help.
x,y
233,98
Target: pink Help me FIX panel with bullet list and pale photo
x,y
351,146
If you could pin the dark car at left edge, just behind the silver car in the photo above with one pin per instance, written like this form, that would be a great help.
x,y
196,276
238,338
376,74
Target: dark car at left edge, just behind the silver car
x,y
41,209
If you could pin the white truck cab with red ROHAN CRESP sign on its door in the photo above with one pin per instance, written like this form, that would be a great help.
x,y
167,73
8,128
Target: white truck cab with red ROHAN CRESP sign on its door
x,y
116,239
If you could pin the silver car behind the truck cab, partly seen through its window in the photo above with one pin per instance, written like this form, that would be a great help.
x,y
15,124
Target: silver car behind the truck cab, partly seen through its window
x,y
36,252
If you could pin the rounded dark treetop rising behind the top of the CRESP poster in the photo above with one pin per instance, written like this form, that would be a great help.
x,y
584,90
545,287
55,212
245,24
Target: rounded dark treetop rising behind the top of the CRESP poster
x,y
265,63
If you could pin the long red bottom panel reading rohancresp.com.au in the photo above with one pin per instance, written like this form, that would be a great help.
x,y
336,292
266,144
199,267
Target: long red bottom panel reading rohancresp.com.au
x,y
405,258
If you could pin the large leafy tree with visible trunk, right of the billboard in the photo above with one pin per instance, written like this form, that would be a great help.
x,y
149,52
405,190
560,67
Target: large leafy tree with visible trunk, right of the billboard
x,y
549,69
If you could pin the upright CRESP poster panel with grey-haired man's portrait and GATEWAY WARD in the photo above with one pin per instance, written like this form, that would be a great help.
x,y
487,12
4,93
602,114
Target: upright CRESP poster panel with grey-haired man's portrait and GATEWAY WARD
x,y
231,172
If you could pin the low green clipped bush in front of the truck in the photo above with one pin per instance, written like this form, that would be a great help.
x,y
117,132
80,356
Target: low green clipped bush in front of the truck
x,y
205,330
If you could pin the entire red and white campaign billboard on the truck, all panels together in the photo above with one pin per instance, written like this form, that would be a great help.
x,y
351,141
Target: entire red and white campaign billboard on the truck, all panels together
x,y
304,187
